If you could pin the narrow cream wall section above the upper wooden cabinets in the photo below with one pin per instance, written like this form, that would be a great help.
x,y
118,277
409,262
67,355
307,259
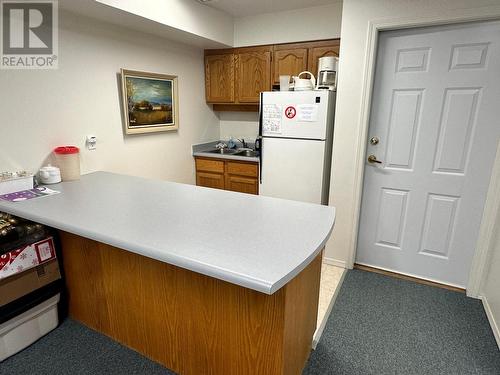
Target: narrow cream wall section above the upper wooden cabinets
x,y
314,23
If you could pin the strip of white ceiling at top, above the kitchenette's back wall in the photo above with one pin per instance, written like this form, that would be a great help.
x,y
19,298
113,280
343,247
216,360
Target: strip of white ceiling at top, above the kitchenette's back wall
x,y
243,8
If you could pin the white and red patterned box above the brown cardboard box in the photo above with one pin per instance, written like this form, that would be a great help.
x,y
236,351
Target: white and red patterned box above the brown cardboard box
x,y
26,257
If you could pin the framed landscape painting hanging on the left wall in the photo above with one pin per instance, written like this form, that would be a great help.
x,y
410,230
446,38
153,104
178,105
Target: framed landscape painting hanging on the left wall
x,y
150,102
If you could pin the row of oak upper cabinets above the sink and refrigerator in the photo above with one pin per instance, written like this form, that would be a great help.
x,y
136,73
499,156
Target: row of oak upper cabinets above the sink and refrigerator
x,y
235,77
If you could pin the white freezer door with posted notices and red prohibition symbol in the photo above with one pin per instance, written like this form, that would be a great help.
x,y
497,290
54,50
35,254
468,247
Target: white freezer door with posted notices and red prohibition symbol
x,y
300,114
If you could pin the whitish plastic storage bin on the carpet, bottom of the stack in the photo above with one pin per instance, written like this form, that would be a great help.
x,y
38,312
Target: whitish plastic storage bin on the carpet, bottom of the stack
x,y
23,330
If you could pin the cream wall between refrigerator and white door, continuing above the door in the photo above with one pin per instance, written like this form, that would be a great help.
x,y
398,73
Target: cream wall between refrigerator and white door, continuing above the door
x,y
349,131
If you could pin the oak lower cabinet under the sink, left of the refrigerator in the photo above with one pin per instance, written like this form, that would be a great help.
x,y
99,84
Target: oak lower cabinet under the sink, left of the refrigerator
x,y
227,174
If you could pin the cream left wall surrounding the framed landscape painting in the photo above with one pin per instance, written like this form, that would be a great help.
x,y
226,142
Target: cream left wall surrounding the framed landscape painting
x,y
44,109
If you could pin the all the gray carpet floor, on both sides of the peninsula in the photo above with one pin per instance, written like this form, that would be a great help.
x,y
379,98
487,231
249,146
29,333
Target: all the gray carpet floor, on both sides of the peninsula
x,y
379,325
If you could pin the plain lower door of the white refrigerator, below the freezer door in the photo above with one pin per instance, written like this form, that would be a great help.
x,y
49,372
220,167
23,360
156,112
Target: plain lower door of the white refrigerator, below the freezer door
x,y
293,169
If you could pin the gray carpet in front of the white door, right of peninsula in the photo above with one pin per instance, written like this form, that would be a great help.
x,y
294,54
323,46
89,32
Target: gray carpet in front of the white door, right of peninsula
x,y
382,325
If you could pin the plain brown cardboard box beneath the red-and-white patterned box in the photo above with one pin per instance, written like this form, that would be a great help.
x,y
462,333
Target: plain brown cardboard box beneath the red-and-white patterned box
x,y
14,287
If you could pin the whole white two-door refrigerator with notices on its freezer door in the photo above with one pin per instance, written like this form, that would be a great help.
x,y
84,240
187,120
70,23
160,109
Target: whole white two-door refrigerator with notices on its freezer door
x,y
296,136
